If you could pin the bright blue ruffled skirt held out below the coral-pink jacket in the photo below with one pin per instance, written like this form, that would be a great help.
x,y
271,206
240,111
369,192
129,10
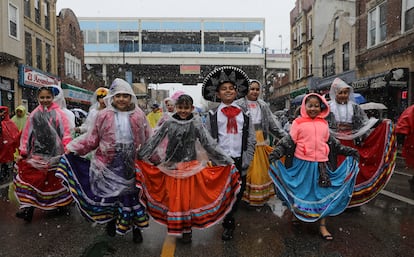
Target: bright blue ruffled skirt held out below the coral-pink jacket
x,y
298,187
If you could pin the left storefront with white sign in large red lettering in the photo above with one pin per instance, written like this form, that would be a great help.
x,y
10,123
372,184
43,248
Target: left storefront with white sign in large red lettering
x,y
30,80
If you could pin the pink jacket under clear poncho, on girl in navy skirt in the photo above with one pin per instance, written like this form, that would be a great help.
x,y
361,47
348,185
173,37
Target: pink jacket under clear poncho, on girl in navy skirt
x,y
102,136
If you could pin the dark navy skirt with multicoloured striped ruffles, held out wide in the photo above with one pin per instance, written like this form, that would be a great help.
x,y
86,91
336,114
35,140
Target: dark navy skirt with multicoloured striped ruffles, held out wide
x,y
127,209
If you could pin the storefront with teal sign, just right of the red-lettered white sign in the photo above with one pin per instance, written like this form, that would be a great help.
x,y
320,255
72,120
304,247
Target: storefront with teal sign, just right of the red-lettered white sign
x,y
77,97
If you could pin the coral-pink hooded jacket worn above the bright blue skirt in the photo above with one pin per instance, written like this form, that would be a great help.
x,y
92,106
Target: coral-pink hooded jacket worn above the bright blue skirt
x,y
311,135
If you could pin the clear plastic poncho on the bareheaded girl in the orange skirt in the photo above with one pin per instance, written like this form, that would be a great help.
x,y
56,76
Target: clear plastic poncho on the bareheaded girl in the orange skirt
x,y
182,148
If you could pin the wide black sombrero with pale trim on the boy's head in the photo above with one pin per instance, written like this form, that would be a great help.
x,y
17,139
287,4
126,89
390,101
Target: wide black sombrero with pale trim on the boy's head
x,y
225,74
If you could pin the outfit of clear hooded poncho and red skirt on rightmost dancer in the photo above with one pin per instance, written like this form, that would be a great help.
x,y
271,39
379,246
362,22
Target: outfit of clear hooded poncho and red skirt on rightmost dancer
x,y
374,139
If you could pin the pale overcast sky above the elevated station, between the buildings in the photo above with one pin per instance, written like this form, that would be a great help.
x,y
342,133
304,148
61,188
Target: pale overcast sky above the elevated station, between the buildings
x,y
276,12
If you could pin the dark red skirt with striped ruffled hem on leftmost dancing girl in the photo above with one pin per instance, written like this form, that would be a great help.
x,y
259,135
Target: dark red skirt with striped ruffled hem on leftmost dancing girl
x,y
39,188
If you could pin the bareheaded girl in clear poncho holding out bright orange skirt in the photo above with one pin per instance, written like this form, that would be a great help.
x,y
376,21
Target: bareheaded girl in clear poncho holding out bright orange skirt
x,y
182,189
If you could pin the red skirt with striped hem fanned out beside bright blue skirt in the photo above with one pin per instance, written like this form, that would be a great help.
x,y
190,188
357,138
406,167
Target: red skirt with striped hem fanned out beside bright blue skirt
x,y
377,162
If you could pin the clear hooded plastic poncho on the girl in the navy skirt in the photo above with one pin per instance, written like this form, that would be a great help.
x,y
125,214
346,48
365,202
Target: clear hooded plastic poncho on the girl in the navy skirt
x,y
116,136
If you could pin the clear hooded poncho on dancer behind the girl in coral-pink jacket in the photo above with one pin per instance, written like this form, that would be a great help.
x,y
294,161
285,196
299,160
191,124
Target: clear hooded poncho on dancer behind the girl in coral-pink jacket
x,y
347,120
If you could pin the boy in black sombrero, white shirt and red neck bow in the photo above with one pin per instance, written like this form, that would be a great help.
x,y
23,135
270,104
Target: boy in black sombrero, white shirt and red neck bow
x,y
230,126
